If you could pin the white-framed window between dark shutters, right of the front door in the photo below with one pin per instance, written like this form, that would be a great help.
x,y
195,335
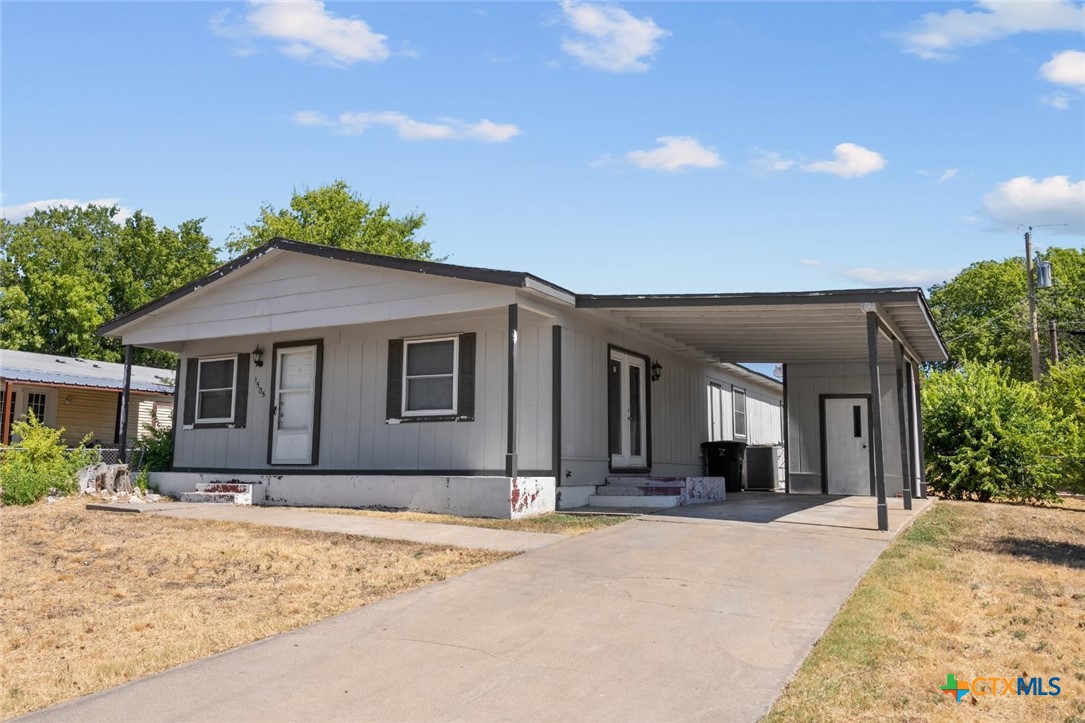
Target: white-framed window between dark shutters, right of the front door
x,y
430,376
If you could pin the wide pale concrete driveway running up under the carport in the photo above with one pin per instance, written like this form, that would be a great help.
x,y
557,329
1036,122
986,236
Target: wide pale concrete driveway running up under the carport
x,y
701,614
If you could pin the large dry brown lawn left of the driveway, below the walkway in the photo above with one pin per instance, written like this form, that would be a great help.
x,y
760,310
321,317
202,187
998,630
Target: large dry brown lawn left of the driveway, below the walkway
x,y
92,600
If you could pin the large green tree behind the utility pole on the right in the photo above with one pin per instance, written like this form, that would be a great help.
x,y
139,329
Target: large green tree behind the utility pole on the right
x,y
984,312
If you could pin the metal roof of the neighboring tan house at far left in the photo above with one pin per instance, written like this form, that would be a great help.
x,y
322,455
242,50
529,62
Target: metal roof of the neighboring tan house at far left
x,y
72,372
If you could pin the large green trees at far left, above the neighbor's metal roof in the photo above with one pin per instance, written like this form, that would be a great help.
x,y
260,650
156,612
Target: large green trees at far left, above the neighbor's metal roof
x,y
66,271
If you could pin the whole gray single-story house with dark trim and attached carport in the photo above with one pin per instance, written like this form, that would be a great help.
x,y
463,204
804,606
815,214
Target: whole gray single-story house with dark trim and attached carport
x,y
328,377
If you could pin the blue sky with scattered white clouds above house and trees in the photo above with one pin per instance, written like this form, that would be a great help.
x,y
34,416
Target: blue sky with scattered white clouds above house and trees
x,y
608,148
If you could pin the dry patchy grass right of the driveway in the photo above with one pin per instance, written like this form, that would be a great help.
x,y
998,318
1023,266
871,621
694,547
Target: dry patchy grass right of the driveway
x,y
975,590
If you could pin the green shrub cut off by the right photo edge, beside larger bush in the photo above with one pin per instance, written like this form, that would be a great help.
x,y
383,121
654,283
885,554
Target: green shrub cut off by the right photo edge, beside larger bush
x,y
1063,392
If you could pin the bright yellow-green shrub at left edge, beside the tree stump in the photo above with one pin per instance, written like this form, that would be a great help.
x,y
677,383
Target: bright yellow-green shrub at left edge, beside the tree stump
x,y
41,463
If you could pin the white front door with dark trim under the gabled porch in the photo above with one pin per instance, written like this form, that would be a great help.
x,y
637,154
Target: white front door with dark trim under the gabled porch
x,y
295,395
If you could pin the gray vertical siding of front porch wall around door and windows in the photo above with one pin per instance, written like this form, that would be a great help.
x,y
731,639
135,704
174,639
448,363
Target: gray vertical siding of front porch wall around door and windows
x,y
354,435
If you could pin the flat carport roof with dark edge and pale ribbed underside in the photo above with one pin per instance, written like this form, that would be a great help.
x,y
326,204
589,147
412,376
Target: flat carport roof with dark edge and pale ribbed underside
x,y
786,327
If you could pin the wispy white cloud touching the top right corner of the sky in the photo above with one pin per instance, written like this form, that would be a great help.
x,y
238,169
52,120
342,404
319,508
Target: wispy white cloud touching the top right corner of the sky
x,y
937,35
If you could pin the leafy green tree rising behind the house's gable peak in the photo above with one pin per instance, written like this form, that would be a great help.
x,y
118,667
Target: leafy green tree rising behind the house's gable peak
x,y
336,217
